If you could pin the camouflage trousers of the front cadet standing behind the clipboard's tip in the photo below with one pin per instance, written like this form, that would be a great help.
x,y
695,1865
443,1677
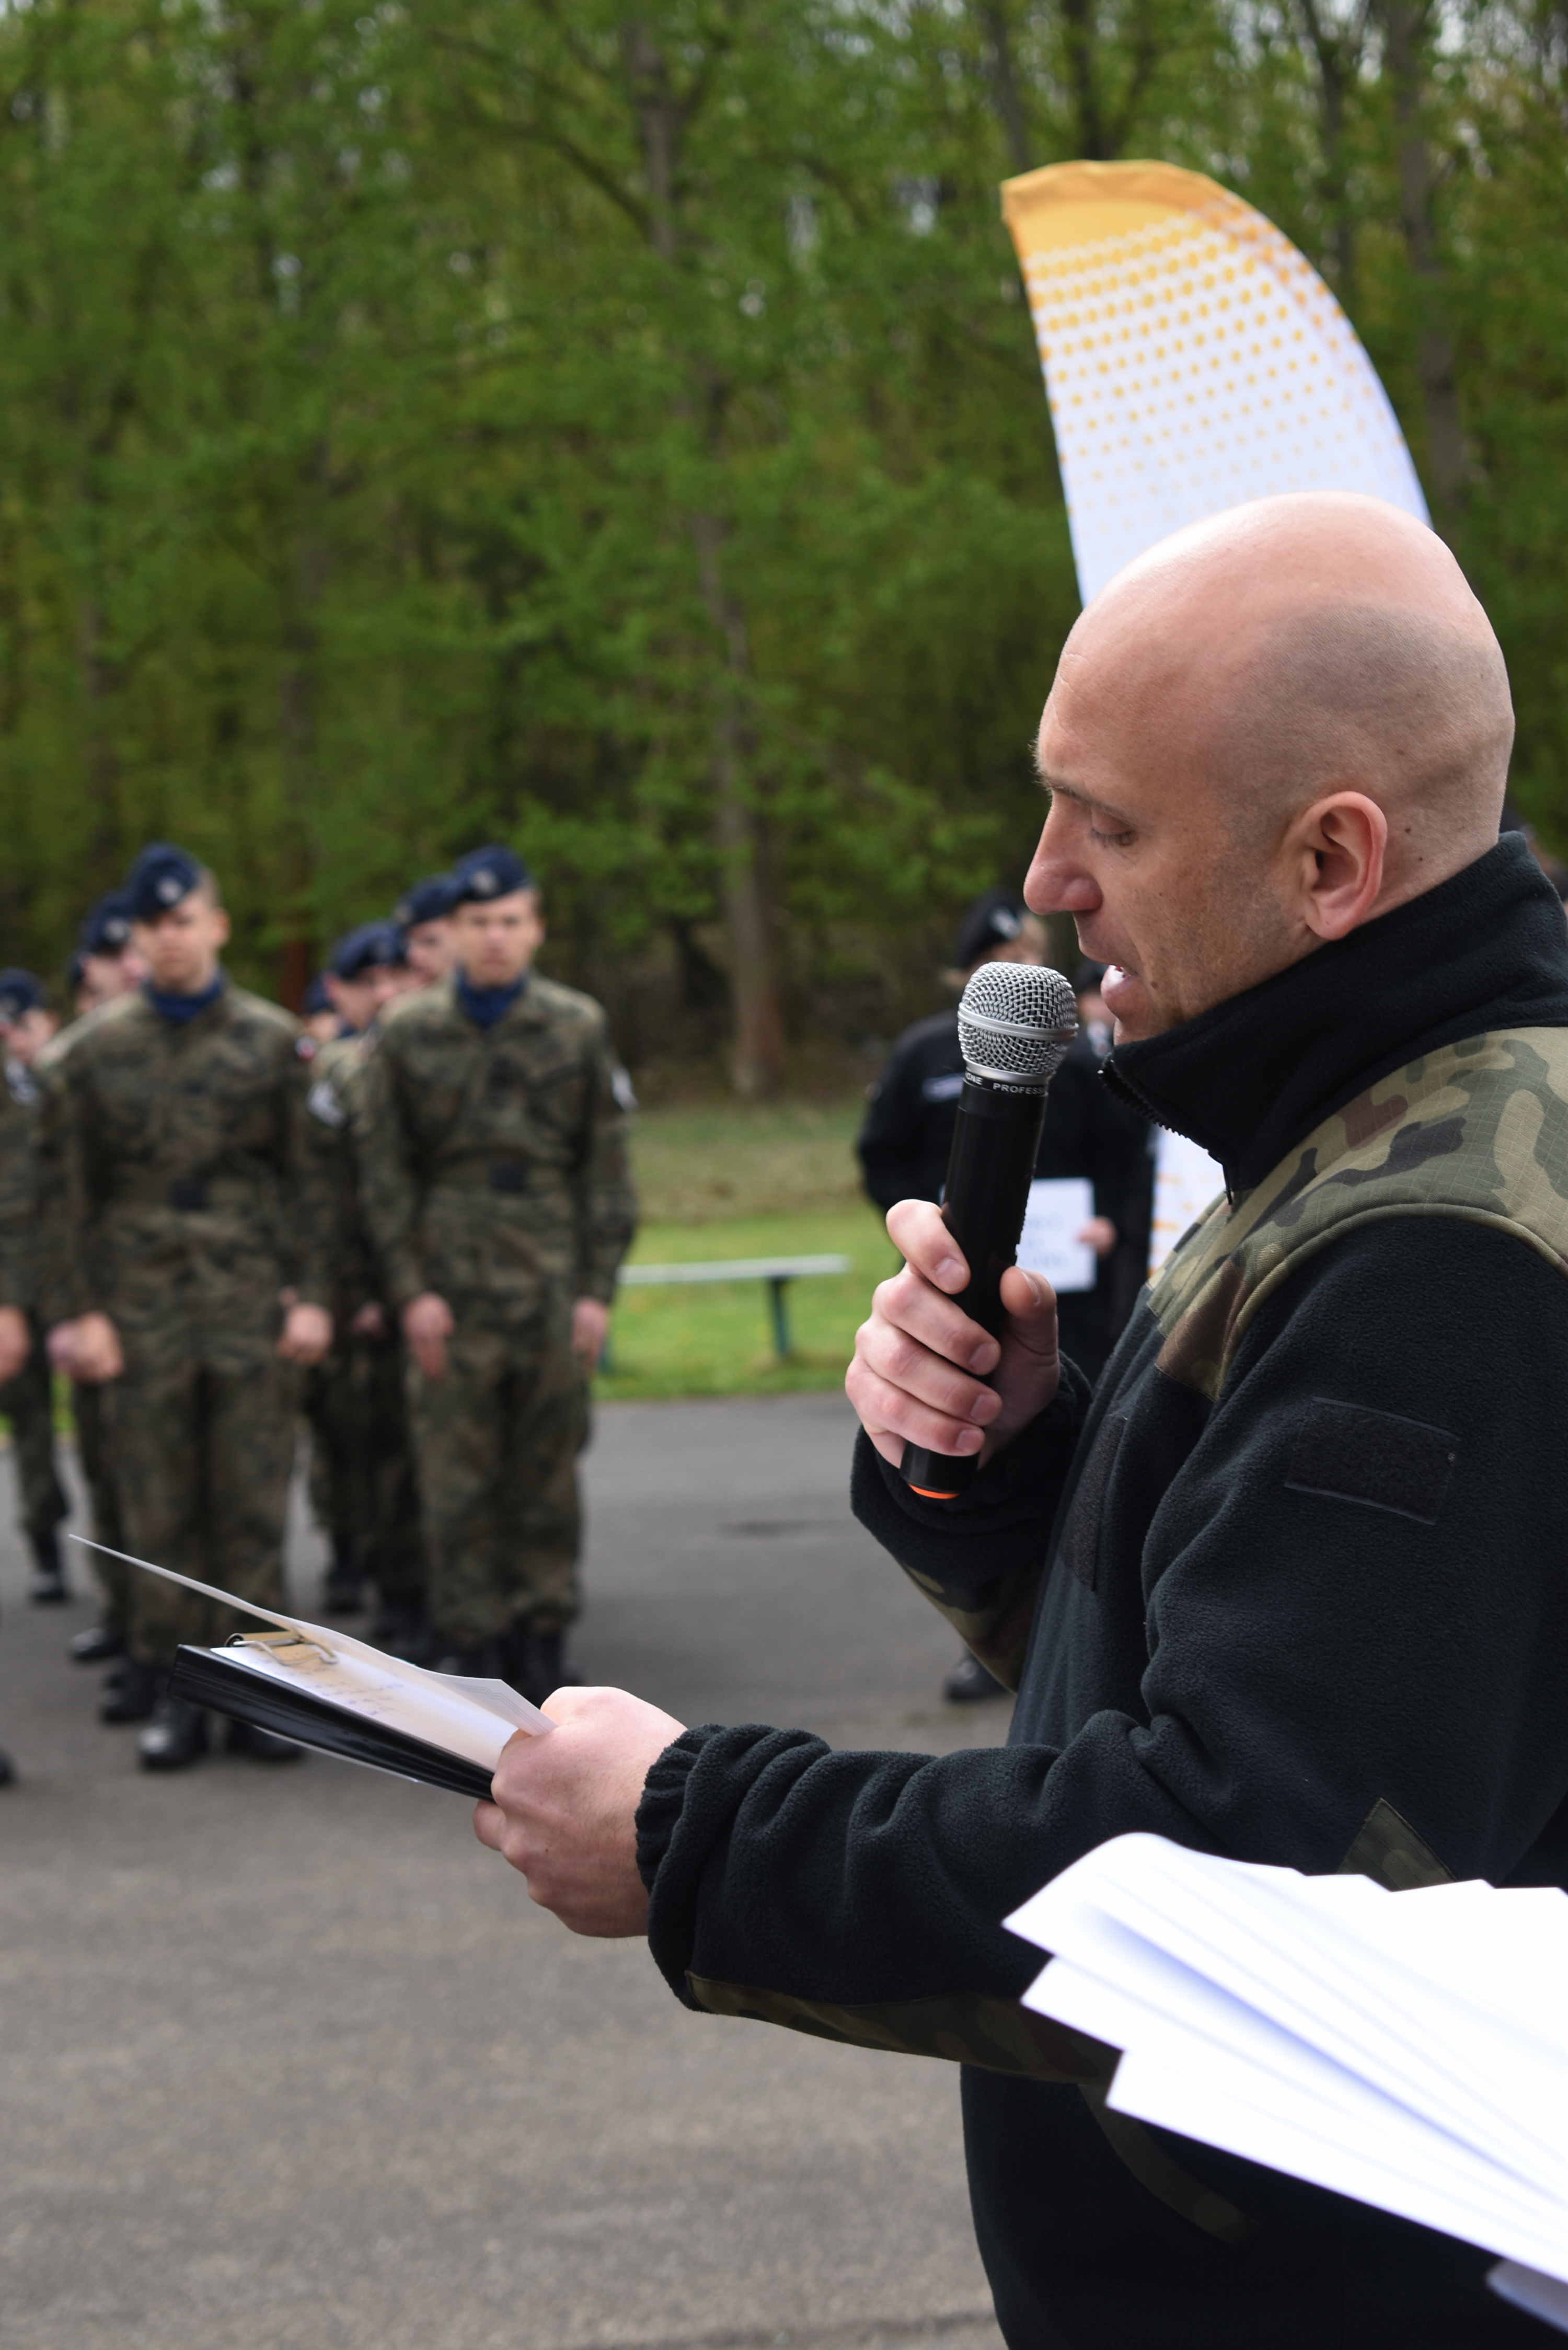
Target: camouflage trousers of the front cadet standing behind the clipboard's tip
x,y
203,1458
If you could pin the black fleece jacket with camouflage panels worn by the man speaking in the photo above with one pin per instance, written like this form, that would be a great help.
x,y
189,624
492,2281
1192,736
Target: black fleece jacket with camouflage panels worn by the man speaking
x,y
1289,1585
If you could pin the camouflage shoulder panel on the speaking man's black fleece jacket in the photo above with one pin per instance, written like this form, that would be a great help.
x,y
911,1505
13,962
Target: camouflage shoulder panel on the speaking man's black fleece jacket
x,y
1475,1132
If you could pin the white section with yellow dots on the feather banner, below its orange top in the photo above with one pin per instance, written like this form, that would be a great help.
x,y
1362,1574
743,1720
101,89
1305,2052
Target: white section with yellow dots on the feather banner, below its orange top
x,y
1191,365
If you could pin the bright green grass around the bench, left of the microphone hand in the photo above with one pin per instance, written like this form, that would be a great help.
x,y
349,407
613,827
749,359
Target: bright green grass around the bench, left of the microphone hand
x,y
718,1341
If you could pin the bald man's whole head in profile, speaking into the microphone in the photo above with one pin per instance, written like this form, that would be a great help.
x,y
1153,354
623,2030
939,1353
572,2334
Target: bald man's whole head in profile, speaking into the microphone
x,y
1266,732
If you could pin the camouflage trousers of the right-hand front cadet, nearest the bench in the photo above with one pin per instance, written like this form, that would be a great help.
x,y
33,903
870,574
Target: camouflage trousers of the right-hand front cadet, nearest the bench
x,y
497,1446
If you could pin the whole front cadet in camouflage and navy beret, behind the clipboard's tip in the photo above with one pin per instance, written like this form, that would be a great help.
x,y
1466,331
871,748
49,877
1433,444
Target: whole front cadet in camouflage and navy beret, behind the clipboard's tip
x,y
185,1202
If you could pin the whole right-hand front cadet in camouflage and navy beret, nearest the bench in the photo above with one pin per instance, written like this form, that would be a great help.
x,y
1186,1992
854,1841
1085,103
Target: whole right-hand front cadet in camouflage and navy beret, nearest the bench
x,y
500,1207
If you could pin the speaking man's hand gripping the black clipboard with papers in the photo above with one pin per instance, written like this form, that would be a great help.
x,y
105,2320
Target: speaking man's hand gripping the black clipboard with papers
x,y
565,1808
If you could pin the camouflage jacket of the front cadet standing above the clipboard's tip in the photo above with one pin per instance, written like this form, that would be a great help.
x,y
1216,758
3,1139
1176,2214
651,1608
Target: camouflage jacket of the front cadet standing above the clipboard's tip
x,y
180,1176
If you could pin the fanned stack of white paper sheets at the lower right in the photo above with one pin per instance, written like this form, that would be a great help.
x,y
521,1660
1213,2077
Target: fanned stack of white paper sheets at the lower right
x,y
1409,2050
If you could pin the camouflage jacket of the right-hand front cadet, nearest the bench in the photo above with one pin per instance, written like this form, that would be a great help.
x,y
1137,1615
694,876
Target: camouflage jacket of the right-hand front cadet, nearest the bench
x,y
495,1160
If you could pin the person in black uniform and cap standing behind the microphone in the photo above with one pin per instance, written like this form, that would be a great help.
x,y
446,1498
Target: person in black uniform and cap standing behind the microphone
x,y
909,1134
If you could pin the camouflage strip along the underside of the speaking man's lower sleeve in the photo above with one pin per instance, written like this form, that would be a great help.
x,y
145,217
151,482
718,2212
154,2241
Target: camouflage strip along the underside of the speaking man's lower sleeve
x,y
1000,2036
